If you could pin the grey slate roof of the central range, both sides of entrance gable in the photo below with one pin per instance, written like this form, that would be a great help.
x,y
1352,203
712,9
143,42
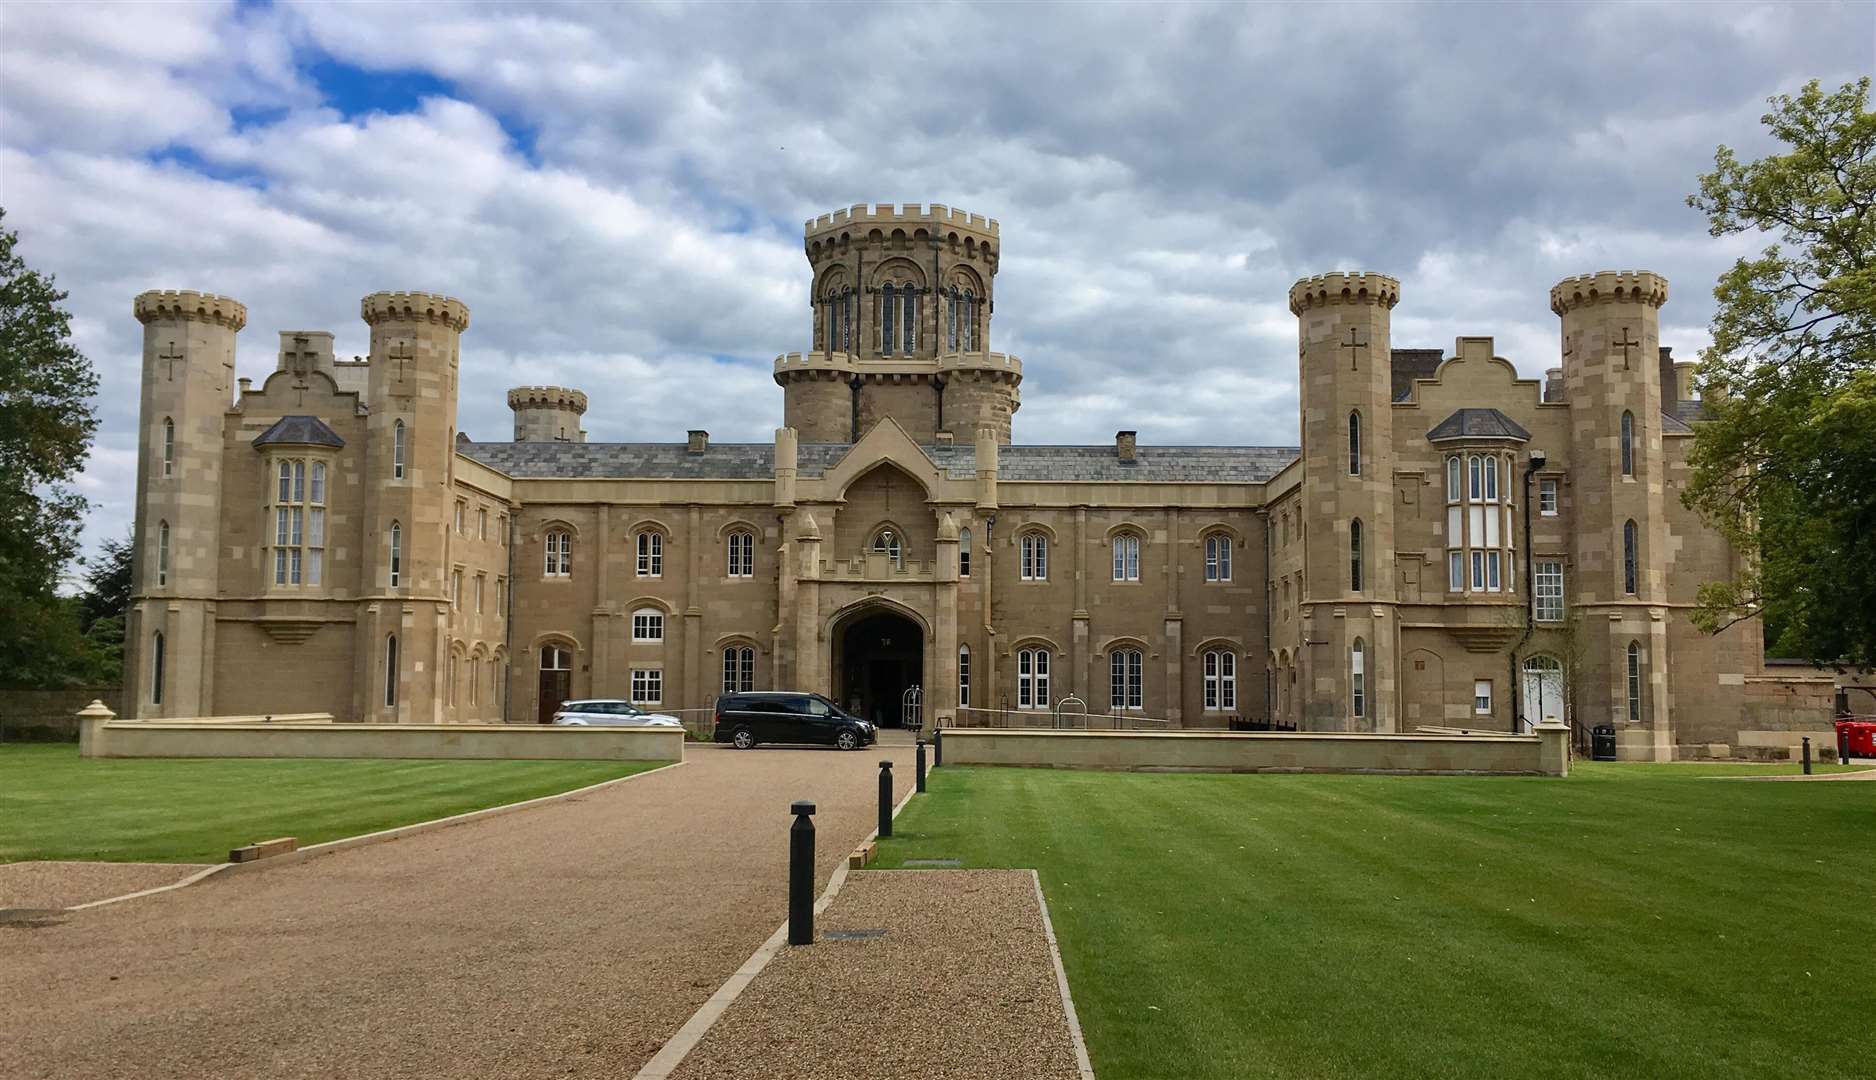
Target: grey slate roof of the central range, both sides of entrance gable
x,y
757,462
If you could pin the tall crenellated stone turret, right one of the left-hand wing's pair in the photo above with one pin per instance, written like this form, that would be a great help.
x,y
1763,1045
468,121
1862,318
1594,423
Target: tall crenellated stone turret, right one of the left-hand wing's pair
x,y
412,436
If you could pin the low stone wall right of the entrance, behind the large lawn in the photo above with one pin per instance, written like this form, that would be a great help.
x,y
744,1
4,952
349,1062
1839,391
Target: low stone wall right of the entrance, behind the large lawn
x,y
1543,755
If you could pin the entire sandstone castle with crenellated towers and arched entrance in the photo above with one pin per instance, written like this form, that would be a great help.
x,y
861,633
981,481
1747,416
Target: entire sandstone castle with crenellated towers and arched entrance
x,y
1451,547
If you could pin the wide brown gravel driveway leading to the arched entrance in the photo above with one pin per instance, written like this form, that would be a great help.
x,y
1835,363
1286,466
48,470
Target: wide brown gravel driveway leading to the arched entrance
x,y
569,940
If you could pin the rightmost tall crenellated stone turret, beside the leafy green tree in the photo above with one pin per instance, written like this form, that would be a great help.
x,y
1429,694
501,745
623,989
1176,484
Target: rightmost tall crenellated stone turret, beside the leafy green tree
x,y
1618,477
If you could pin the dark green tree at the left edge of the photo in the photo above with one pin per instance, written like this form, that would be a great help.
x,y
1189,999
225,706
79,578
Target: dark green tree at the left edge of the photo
x,y
46,430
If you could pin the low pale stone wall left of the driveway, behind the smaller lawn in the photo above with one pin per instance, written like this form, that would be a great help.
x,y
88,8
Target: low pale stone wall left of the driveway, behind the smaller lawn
x,y
243,738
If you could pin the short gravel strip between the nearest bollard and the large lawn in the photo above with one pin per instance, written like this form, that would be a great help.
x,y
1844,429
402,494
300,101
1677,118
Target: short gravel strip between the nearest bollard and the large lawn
x,y
960,987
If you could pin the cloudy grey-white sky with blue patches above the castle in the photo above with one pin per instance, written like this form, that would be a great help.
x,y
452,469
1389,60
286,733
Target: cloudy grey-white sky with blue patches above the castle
x,y
618,190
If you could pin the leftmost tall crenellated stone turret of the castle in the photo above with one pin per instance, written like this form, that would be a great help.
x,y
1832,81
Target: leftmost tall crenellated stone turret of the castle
x,y
189,382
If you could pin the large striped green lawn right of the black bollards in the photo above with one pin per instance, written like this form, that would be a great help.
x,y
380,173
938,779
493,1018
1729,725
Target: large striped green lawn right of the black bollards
x,y
1629,922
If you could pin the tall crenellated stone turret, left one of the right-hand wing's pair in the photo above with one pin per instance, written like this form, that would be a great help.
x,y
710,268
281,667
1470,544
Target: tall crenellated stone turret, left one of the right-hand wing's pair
x,y
1348,447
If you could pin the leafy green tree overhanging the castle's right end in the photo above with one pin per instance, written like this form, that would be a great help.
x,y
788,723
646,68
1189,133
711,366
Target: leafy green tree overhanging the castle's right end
x,y
1787,466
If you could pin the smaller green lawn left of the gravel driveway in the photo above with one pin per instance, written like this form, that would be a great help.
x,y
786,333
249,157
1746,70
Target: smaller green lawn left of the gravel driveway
x,y
57,805
